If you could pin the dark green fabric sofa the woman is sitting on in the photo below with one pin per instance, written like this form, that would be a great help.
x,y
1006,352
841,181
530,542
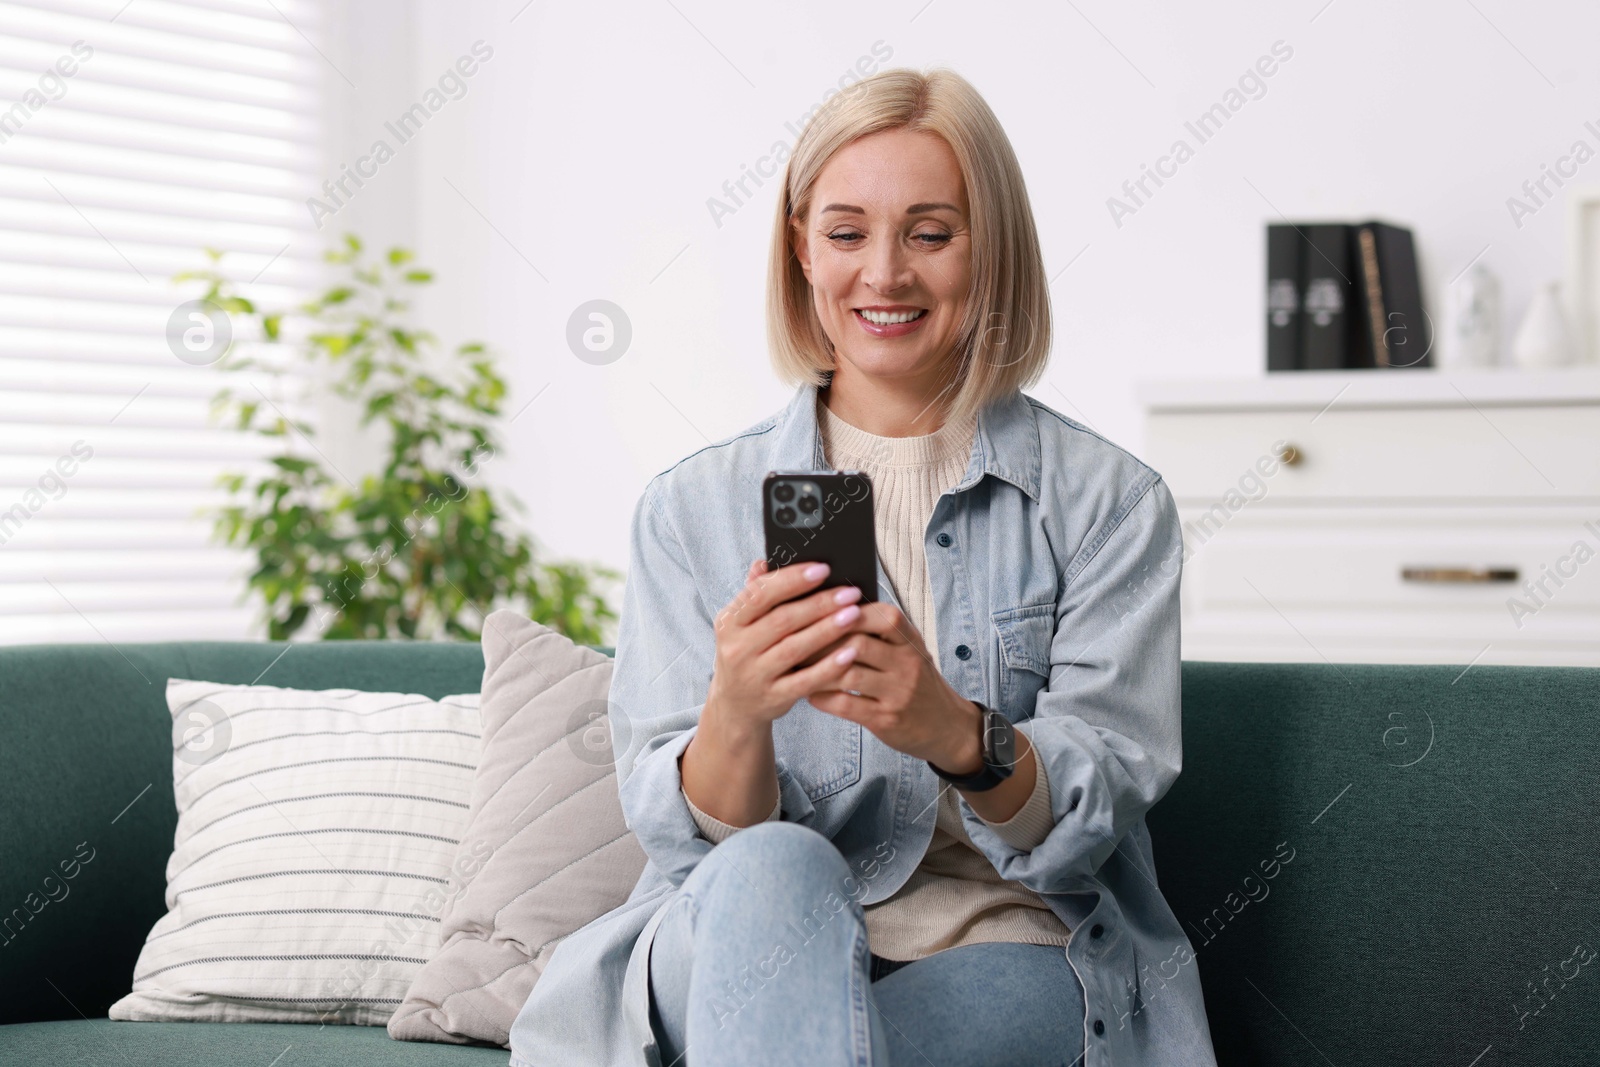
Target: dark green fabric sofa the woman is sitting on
x,y
1375,865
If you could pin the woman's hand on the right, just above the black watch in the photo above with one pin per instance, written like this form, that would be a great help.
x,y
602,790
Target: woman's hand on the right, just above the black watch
x,y
903,700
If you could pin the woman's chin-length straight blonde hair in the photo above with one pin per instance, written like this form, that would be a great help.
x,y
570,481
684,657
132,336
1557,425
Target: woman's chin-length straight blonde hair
x,y
1004,342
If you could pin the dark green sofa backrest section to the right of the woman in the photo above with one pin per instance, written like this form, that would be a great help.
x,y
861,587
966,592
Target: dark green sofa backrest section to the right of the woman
x,y
1385,865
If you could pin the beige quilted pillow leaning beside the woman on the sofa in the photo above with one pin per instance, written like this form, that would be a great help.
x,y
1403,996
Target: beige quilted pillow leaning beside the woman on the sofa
x,y
545,844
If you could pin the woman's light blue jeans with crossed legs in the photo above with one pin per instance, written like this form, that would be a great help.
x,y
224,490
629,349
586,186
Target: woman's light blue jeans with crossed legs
x,y
764,959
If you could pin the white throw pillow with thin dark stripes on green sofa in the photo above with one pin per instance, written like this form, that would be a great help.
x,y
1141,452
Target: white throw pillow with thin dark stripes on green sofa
x,y
316,850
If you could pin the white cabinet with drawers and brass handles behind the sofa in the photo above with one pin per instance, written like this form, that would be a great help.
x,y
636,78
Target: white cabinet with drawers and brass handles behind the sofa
x,y
1386,516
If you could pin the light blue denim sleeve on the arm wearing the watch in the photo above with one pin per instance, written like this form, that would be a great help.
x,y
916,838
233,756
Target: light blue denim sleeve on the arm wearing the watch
x,y
1108,725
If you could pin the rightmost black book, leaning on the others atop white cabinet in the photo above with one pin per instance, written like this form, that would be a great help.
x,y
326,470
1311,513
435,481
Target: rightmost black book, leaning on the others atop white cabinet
x,y
1393,327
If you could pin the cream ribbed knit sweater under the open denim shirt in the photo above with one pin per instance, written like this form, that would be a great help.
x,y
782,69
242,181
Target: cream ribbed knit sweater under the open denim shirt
x,y
954,897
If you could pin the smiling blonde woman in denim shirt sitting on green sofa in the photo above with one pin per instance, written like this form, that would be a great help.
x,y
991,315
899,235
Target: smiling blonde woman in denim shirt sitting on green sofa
x,y
855,857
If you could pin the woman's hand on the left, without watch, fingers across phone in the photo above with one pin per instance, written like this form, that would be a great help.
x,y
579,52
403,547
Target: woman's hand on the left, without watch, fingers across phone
x,y
769,631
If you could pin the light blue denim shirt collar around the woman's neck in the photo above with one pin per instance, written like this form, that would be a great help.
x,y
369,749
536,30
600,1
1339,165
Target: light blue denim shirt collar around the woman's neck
x,y
1006,444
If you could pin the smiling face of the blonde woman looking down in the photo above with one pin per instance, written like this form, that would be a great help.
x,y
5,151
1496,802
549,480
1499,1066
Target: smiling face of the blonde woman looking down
x,y
889,254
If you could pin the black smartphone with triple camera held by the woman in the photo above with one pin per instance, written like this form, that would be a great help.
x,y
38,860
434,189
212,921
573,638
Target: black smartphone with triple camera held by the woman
x,y
823,518
